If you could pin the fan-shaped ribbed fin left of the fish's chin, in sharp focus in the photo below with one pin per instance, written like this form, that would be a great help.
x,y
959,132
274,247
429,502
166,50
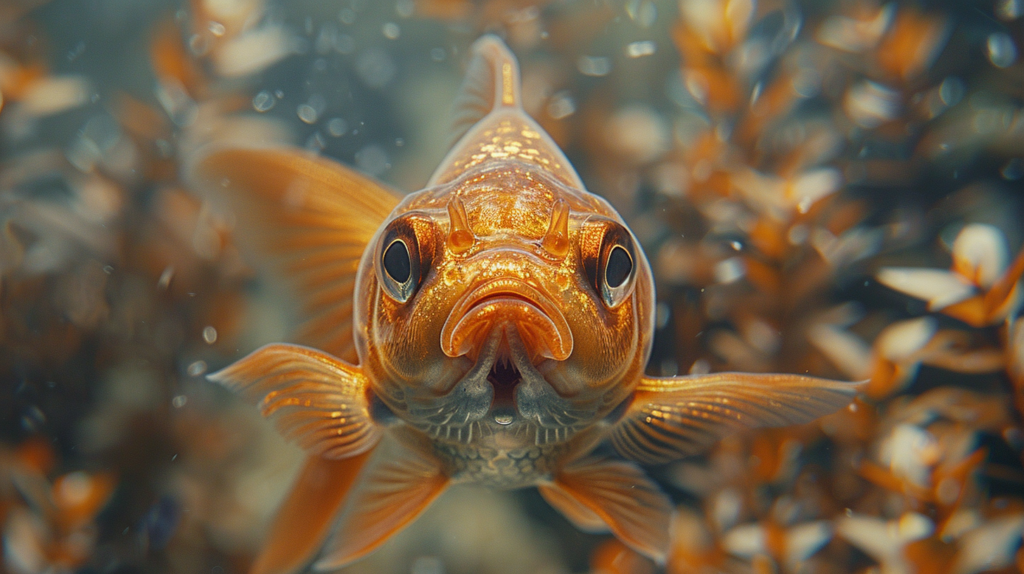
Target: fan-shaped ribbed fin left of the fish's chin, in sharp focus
x,y
315,400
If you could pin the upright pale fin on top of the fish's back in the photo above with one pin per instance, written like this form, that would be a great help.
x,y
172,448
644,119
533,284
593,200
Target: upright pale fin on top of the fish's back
x,y
492,81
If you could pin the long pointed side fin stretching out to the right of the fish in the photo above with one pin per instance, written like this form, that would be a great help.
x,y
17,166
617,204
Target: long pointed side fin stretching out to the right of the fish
x,y
677,417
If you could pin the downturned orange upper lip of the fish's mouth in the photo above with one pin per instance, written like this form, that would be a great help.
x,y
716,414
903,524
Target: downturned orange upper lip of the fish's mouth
x,y
498,303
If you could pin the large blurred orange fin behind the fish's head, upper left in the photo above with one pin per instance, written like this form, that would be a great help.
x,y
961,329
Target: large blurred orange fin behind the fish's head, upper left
x,y
313,216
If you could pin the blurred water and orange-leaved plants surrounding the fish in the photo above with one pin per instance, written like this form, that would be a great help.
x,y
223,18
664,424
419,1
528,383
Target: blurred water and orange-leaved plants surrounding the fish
x,y
822,188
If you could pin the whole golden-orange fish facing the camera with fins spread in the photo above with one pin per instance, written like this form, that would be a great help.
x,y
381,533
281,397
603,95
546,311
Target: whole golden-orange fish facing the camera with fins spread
x,y
491,329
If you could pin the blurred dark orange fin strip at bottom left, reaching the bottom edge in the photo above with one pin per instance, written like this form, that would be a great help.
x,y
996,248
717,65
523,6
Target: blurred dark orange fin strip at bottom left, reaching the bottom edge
x,y
306,518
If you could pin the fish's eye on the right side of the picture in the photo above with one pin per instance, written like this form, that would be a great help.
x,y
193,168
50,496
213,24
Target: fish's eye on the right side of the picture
x,y
609,260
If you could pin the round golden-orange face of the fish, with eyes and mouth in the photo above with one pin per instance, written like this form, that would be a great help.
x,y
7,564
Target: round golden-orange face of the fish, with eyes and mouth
x,y
506,302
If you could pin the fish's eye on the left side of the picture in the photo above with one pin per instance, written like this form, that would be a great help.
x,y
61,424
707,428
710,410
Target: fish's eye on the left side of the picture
x,y
404,254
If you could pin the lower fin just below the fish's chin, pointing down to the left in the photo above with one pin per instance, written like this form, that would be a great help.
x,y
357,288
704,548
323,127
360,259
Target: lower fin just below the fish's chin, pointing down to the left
x,y
391,497
